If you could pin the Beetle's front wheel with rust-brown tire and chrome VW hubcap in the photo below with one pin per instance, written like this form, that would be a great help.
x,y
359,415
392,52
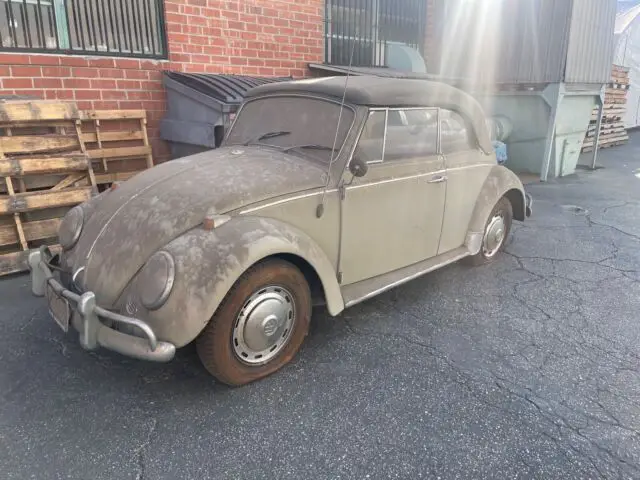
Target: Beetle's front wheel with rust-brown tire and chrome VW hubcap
x,y
259,326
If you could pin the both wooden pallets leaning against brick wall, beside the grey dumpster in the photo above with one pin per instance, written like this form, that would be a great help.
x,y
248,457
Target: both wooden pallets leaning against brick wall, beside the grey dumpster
x,y
53,157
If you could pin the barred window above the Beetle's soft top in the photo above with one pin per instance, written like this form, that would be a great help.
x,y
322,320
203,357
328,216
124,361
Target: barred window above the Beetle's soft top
x,y
372,24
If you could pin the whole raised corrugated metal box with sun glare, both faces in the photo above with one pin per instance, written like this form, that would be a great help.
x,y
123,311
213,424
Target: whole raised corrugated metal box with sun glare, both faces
x,y
526,41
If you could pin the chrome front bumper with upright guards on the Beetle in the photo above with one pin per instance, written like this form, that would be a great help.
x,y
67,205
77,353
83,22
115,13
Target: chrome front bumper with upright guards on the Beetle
x,y
94,333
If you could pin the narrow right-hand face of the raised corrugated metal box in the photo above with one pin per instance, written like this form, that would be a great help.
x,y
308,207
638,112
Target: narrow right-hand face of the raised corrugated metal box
x,y
592,42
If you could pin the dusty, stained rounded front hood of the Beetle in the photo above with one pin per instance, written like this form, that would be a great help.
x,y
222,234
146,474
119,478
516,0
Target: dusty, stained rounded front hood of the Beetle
x,y
127,225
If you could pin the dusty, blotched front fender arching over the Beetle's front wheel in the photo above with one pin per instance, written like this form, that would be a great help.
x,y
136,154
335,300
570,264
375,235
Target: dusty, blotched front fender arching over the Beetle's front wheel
x,y
209,262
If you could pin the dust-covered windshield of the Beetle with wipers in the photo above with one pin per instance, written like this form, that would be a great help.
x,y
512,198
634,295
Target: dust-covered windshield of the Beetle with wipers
x,y
302,125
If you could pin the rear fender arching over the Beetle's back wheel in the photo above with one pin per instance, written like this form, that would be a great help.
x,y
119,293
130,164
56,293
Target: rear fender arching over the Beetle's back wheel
x,y
499,183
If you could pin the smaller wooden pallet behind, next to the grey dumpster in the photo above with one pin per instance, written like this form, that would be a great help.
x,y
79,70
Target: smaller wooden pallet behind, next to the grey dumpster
x,y
117,142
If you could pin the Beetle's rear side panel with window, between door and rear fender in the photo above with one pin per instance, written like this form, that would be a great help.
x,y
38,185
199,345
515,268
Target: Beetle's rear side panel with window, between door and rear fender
x,y
467,169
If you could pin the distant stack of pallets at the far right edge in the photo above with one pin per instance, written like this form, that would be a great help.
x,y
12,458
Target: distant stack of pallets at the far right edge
x,y
612,130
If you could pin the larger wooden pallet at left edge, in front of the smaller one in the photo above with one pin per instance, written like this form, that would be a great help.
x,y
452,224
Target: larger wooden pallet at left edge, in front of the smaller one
x,y
38,139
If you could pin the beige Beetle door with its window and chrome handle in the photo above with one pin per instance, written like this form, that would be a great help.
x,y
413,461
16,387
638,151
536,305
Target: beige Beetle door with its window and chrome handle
x,y
392,216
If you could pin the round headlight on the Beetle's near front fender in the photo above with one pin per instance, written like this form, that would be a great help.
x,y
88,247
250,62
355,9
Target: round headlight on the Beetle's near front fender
x,y
156,280
